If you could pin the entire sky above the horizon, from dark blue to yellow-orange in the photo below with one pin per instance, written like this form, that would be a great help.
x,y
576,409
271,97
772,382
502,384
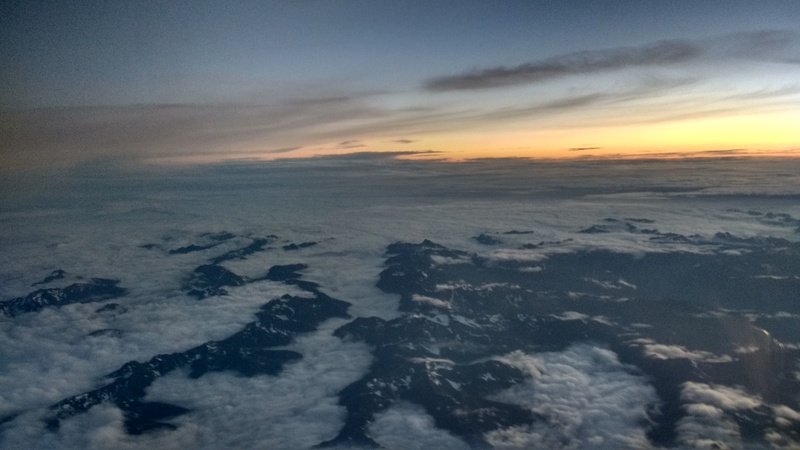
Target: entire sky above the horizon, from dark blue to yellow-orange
x,y
180,81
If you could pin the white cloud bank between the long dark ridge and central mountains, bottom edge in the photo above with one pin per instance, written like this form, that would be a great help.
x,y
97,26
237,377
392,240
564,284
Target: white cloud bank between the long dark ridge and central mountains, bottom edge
x,y
297,409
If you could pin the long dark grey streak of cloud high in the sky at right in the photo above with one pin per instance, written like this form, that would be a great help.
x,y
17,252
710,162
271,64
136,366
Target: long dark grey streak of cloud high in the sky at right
x,y
662,53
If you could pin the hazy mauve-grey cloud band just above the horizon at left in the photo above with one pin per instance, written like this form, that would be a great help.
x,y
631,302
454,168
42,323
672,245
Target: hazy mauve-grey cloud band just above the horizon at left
x,y
63,137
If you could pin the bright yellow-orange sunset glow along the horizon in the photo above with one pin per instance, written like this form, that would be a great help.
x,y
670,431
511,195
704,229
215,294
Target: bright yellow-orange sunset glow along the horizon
x,y
769,134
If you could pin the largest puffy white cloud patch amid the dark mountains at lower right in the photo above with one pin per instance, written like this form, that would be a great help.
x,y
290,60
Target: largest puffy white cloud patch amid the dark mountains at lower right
x,y
588,399
